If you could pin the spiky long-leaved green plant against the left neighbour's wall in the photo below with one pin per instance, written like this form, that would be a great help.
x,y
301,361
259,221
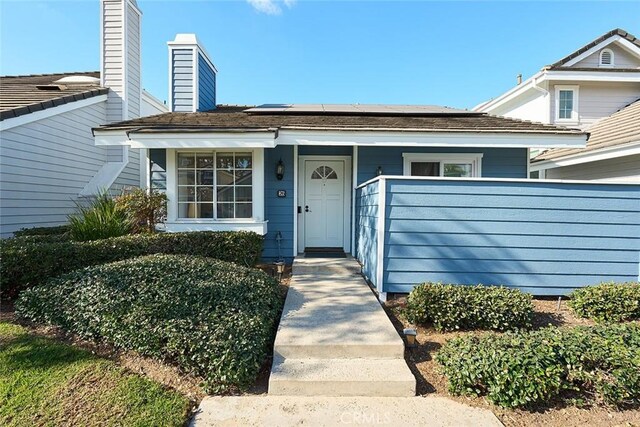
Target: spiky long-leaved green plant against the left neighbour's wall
x,y
100,219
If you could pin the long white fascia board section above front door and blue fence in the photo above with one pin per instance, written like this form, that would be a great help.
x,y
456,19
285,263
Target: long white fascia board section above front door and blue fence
x,y
430,139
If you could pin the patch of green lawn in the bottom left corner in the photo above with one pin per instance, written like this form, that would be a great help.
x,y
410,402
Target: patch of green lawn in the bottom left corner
x,y
44,382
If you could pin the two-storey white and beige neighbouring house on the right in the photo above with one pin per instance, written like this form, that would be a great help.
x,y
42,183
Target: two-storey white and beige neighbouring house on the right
x,y
595,89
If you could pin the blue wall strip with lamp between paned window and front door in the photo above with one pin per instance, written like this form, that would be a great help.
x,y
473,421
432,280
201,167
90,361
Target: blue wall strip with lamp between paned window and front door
x,y
278,210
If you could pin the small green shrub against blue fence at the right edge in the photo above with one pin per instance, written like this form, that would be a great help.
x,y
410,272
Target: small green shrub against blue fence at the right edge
x,y
607,302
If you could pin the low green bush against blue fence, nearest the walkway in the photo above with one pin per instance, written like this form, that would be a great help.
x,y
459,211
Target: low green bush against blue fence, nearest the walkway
x,y
455,307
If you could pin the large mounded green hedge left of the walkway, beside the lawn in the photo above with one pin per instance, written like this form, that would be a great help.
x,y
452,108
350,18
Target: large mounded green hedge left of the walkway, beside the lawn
x,y
211,318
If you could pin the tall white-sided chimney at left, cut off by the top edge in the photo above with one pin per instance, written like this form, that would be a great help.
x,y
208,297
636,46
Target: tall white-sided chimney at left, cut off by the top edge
x,y
120,58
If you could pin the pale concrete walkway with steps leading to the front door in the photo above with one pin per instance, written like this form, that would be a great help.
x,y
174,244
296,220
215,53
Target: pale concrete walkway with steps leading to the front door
x,y
335,339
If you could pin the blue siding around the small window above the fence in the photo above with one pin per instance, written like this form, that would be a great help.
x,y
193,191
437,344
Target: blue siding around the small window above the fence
x,y
496,162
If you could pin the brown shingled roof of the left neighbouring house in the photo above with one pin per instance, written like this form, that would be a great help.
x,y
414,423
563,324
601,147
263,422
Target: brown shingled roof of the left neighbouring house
x,y
21,95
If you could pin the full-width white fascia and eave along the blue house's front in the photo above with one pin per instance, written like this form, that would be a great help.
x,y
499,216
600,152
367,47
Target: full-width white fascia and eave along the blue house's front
x,y
270,138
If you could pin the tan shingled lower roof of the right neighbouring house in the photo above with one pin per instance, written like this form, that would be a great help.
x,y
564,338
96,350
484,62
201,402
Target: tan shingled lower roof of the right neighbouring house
x,y
620,128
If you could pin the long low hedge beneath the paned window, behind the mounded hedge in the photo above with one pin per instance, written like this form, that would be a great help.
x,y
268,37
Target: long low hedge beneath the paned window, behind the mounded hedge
x,y
28,261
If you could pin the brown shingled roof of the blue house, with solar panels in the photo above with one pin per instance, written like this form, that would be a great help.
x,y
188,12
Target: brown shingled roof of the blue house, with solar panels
x,y
421,119
